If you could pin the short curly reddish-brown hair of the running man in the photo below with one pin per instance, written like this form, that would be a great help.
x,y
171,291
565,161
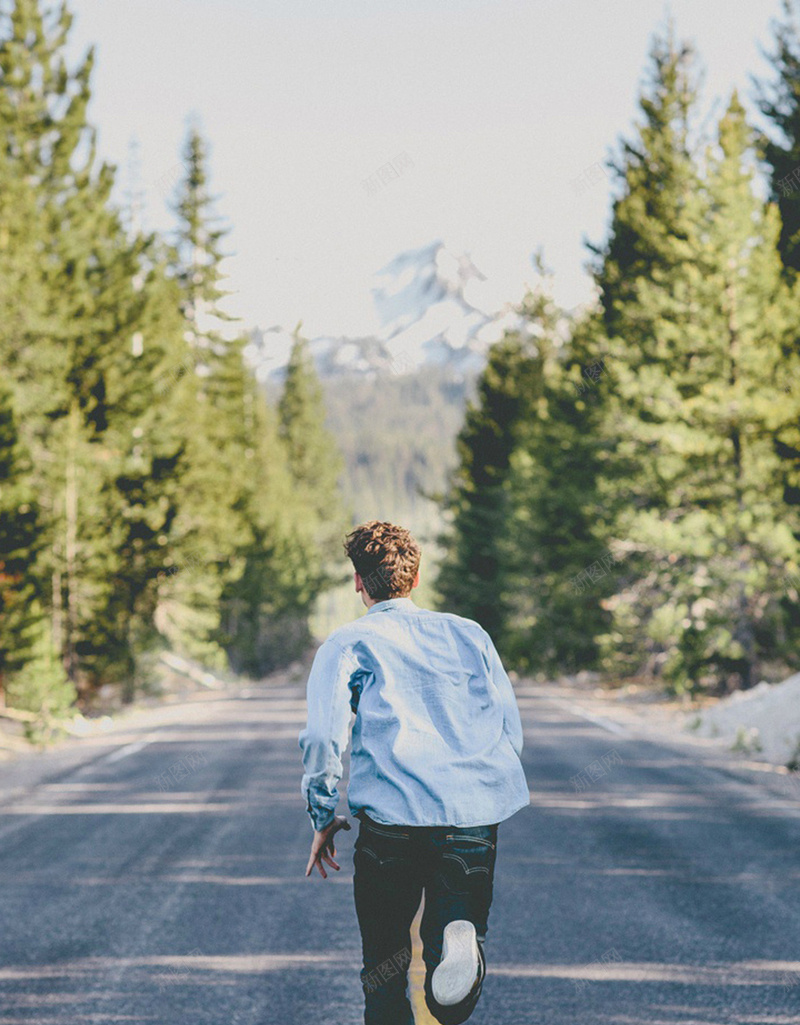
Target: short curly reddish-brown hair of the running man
x,y
386,557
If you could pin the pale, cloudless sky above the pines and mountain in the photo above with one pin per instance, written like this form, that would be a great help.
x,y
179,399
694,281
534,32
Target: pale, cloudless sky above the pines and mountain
x,y
495,109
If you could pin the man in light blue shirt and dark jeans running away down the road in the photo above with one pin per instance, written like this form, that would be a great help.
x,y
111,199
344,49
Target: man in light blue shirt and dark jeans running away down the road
x,y
435,767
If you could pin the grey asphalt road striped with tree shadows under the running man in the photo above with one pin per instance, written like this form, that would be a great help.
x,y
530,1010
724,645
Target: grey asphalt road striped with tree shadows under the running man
x,y
158,878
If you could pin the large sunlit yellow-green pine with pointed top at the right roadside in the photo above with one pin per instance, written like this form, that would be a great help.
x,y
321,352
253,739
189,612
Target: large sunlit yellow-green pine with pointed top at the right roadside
x,y
702,603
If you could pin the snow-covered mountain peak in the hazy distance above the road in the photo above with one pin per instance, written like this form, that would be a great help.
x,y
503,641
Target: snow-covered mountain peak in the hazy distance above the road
x,y
433,310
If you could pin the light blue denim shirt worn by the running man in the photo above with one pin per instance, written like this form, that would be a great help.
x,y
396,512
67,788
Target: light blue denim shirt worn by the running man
x,y
437,736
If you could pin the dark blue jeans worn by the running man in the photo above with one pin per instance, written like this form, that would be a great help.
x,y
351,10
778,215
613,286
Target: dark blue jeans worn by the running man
x,y
394,866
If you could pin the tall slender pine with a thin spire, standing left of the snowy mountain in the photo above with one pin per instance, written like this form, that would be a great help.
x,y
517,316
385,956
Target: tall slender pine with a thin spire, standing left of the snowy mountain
x,y
209,388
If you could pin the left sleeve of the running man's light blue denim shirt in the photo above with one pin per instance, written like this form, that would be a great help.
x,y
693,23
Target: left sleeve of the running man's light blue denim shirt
x,y
326,737
